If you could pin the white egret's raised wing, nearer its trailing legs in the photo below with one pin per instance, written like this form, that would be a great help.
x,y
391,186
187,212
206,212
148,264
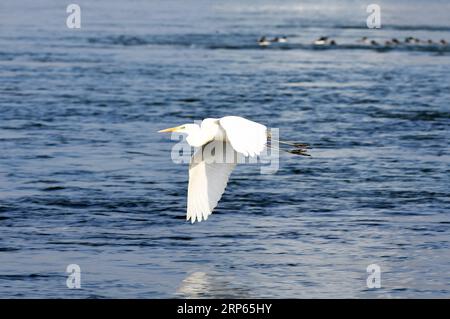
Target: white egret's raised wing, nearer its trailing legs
x,y
246,137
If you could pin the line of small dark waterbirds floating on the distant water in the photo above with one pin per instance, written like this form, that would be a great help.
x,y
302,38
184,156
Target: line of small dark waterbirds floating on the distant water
x,y
326,41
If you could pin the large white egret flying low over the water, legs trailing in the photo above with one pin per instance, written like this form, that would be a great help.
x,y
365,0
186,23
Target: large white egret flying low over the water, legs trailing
x,y
219,141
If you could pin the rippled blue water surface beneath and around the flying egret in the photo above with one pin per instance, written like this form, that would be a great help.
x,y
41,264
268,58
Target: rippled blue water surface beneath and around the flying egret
x,y
85,178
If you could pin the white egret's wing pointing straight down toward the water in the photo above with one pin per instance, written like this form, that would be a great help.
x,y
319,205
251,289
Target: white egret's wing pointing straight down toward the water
x,y
208,176
